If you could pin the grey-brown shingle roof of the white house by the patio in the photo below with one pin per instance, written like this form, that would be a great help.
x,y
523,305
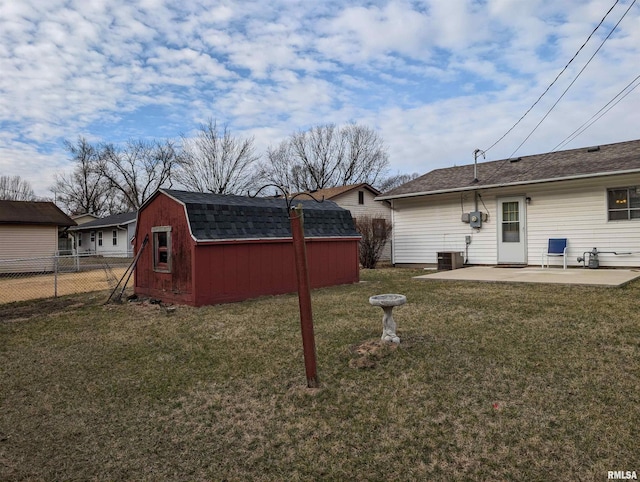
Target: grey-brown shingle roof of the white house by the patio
x,y
609,159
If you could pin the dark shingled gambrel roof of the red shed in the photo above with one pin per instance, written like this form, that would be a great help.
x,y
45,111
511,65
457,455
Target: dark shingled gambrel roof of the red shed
x,y
215,217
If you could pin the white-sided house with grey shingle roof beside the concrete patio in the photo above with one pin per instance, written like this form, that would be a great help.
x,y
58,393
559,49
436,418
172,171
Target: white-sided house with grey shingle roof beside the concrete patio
x,y
591,196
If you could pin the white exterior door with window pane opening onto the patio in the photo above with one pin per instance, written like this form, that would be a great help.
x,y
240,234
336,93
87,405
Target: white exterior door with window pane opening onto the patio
x,y
512,240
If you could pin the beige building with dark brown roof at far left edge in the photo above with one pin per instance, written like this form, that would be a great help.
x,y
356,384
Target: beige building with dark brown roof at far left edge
x,y
30,229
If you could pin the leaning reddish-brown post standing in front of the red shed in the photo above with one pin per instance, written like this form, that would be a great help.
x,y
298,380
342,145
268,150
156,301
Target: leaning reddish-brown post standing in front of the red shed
x,y
304,296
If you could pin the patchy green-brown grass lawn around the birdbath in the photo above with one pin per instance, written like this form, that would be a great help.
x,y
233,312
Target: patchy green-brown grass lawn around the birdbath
x,y
490,382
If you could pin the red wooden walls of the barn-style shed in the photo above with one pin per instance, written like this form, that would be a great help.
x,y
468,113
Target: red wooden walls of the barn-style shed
x,y
226,271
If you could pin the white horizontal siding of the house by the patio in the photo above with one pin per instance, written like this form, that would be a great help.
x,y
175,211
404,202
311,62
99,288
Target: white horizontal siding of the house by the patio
x,y
576,210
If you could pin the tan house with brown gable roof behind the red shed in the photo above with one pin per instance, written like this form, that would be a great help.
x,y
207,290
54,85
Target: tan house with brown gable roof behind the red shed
x,y
360,200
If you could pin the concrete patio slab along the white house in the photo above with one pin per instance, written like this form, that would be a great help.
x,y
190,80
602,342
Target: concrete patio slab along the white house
x,y
575,276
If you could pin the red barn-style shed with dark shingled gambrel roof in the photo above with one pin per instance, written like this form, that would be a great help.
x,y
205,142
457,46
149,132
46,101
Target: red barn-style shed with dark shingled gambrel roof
x,y
207,249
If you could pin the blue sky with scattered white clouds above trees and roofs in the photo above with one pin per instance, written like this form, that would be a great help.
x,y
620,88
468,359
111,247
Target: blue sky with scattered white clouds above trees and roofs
x,y
437,79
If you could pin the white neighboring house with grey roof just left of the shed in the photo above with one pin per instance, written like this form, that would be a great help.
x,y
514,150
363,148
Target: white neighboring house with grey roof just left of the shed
x,y
109,236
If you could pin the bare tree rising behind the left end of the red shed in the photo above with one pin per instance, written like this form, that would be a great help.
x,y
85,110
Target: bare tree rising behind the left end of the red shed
x,y
136,170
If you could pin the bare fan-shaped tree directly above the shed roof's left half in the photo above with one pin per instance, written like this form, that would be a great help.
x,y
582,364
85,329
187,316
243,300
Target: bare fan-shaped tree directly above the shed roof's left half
x,y
215,161
